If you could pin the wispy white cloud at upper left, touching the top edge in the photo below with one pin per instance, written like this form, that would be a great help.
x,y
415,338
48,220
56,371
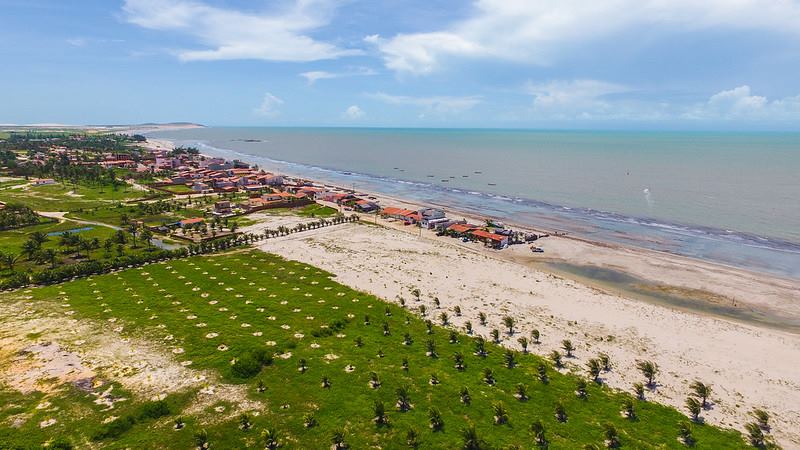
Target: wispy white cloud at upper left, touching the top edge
x,y
280,35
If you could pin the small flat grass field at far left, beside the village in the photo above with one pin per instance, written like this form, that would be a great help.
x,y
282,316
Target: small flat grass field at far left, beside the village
x,y
60,197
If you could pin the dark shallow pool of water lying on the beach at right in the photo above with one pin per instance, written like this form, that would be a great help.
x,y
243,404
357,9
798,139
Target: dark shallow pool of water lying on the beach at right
x,y
685,299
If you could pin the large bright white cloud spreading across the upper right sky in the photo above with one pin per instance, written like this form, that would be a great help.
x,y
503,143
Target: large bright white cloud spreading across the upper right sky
x,y
537,31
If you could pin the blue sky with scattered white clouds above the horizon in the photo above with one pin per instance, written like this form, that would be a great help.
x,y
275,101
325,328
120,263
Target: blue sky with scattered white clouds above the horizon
x,y
611,64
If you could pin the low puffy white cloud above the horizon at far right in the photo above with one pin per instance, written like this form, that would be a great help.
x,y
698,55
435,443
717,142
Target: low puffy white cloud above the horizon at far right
x,y
740,103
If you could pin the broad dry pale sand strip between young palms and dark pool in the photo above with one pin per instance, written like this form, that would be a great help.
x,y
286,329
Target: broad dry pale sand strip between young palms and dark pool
x,y
747,366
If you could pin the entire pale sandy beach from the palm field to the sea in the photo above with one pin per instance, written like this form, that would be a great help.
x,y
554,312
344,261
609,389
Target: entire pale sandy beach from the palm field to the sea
x,y
736,329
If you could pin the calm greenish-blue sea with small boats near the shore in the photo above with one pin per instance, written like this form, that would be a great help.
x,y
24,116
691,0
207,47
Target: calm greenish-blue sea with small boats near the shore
x,y
731,198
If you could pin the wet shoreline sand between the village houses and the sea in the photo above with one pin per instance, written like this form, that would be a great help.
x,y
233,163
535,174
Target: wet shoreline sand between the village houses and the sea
x,y
673,272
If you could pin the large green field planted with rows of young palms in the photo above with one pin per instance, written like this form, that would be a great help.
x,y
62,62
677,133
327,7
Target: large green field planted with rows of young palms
x,y
222,308
